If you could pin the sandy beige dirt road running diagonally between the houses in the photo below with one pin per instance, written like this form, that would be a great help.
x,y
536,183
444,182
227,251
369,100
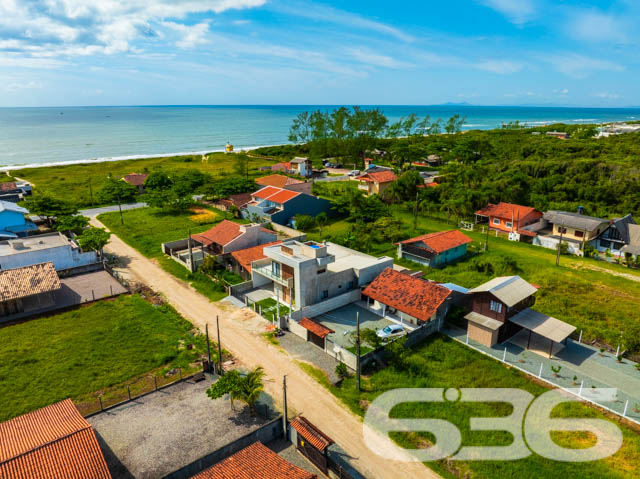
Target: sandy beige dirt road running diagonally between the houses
x,y
239,331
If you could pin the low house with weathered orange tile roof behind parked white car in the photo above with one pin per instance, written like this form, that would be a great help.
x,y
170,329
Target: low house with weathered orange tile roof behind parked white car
x,y
414,300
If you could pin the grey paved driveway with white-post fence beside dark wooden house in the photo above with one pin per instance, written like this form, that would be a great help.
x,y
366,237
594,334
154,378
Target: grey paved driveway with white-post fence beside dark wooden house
x,y
586,364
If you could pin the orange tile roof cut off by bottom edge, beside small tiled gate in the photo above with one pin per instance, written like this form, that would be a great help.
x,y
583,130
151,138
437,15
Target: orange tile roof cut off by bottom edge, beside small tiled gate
x,y
255,462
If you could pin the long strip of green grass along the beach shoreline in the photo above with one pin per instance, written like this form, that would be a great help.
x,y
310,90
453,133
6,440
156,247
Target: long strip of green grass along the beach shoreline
x,y
76,182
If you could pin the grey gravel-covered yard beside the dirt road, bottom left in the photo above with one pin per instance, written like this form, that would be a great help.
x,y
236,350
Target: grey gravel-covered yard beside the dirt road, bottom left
x,y
160,433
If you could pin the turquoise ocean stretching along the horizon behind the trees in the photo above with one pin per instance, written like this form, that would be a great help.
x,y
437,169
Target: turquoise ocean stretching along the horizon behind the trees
x,y
59,135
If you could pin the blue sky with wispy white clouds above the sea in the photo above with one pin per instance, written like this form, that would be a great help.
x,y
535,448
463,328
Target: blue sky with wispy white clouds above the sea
x,y
486,52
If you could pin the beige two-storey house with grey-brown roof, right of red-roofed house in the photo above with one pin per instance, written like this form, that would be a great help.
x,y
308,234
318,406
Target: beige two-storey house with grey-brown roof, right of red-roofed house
x,y
575,229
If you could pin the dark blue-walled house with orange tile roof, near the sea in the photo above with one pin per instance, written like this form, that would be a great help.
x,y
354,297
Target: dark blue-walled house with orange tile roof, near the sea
x,y
278,205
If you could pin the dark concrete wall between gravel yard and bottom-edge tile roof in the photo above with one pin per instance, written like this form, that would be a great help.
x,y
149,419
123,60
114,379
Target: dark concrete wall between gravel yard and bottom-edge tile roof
x,y
270,431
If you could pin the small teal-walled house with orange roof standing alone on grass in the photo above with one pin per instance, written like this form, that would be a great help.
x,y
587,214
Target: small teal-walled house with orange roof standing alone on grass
x,y
435,249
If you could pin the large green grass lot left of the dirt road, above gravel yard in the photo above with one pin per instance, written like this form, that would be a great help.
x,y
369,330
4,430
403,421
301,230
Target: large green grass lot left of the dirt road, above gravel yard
x,y
89,349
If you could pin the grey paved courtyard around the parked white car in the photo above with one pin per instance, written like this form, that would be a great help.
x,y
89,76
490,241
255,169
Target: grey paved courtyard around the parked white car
x,y
343,322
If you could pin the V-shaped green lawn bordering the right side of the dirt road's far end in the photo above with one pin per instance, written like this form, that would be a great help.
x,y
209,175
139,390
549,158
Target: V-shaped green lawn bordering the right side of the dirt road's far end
x,y
145,229
